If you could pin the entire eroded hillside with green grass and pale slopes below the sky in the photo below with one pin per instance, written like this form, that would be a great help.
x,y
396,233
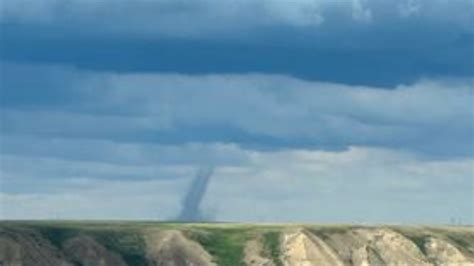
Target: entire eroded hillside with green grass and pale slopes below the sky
x,y
165,244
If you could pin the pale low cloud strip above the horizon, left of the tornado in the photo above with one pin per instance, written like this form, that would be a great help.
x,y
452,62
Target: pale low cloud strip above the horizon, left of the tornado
x,y
153,199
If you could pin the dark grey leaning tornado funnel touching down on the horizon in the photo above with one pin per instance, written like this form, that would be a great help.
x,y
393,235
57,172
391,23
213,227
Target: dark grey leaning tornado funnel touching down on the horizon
x,y
190,208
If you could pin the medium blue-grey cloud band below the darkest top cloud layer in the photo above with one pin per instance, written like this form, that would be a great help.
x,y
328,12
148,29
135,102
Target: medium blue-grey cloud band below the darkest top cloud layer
x,y
261,112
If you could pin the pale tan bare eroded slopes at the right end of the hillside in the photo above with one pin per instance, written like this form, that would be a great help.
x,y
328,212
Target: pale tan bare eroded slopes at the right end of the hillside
x,y
368,246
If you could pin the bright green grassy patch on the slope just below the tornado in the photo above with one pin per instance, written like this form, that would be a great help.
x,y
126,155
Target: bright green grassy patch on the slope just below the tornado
x,y
225,245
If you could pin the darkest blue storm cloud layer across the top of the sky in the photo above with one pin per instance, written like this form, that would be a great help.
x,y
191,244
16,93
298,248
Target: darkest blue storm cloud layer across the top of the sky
x,y
382,43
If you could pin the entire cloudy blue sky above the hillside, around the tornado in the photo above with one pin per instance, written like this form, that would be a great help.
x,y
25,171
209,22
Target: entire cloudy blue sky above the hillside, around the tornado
x,y
318,111
